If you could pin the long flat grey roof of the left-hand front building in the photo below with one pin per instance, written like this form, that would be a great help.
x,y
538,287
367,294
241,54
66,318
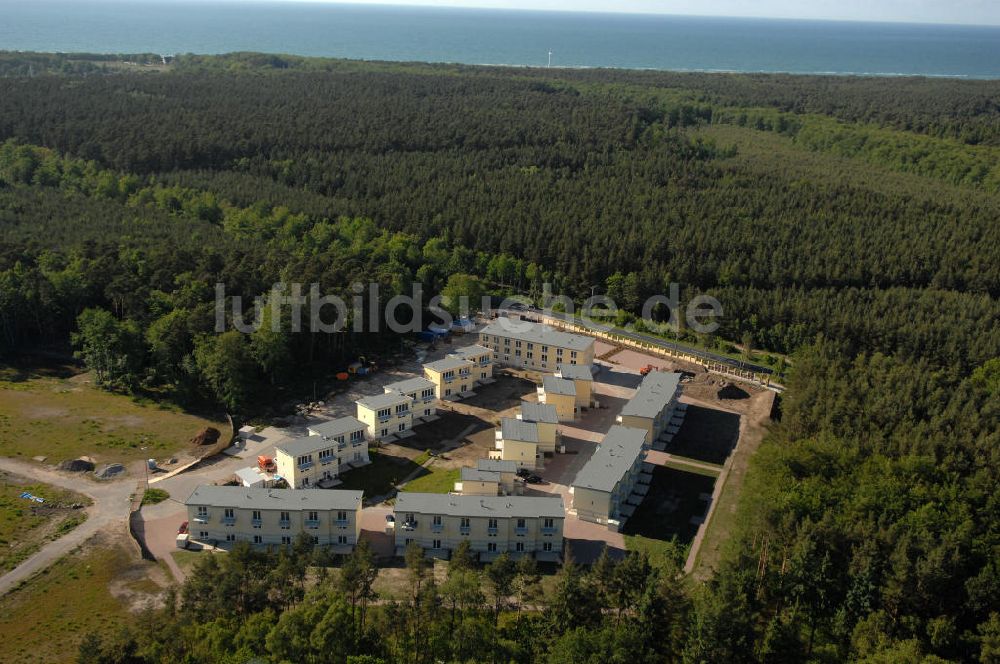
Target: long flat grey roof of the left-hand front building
x,y
275,499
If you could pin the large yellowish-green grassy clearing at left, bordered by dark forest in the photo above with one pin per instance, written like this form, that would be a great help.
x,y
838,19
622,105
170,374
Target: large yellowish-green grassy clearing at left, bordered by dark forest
x,y
63,418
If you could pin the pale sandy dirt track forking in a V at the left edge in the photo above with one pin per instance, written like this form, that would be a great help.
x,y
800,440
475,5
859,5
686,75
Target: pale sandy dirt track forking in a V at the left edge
x,y
110,510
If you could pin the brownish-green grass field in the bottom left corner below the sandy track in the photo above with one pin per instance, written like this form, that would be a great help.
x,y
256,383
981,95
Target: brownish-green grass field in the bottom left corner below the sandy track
x,y
45,619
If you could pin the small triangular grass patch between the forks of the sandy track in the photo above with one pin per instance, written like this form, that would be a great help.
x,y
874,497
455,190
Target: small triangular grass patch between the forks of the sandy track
x,y
26,525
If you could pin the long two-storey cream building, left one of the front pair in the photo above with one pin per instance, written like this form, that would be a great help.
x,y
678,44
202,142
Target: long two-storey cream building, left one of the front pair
x,y
224,515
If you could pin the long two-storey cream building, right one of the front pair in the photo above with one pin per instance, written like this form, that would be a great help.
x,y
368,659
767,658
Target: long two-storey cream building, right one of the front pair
x,y
518,525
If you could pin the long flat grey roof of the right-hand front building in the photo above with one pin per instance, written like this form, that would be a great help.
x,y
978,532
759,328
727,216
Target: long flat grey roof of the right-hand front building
x,y
480,506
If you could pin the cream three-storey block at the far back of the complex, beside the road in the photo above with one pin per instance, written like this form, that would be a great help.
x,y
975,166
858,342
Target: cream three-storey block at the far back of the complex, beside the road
x,y
533,346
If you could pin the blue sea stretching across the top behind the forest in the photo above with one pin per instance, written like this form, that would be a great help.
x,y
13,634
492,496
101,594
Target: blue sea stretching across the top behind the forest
x,y
501,37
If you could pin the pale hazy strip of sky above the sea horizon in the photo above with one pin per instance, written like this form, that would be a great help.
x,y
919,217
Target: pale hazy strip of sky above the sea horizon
x,y
974,12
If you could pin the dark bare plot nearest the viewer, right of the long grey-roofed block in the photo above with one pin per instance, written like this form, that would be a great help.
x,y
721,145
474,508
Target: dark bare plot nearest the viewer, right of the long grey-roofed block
x,y
667,510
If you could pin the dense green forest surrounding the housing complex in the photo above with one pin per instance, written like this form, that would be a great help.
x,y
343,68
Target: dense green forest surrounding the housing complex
x,y
853,223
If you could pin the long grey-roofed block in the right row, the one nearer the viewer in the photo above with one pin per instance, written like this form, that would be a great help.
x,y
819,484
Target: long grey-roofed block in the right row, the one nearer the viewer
x,y
612,482
